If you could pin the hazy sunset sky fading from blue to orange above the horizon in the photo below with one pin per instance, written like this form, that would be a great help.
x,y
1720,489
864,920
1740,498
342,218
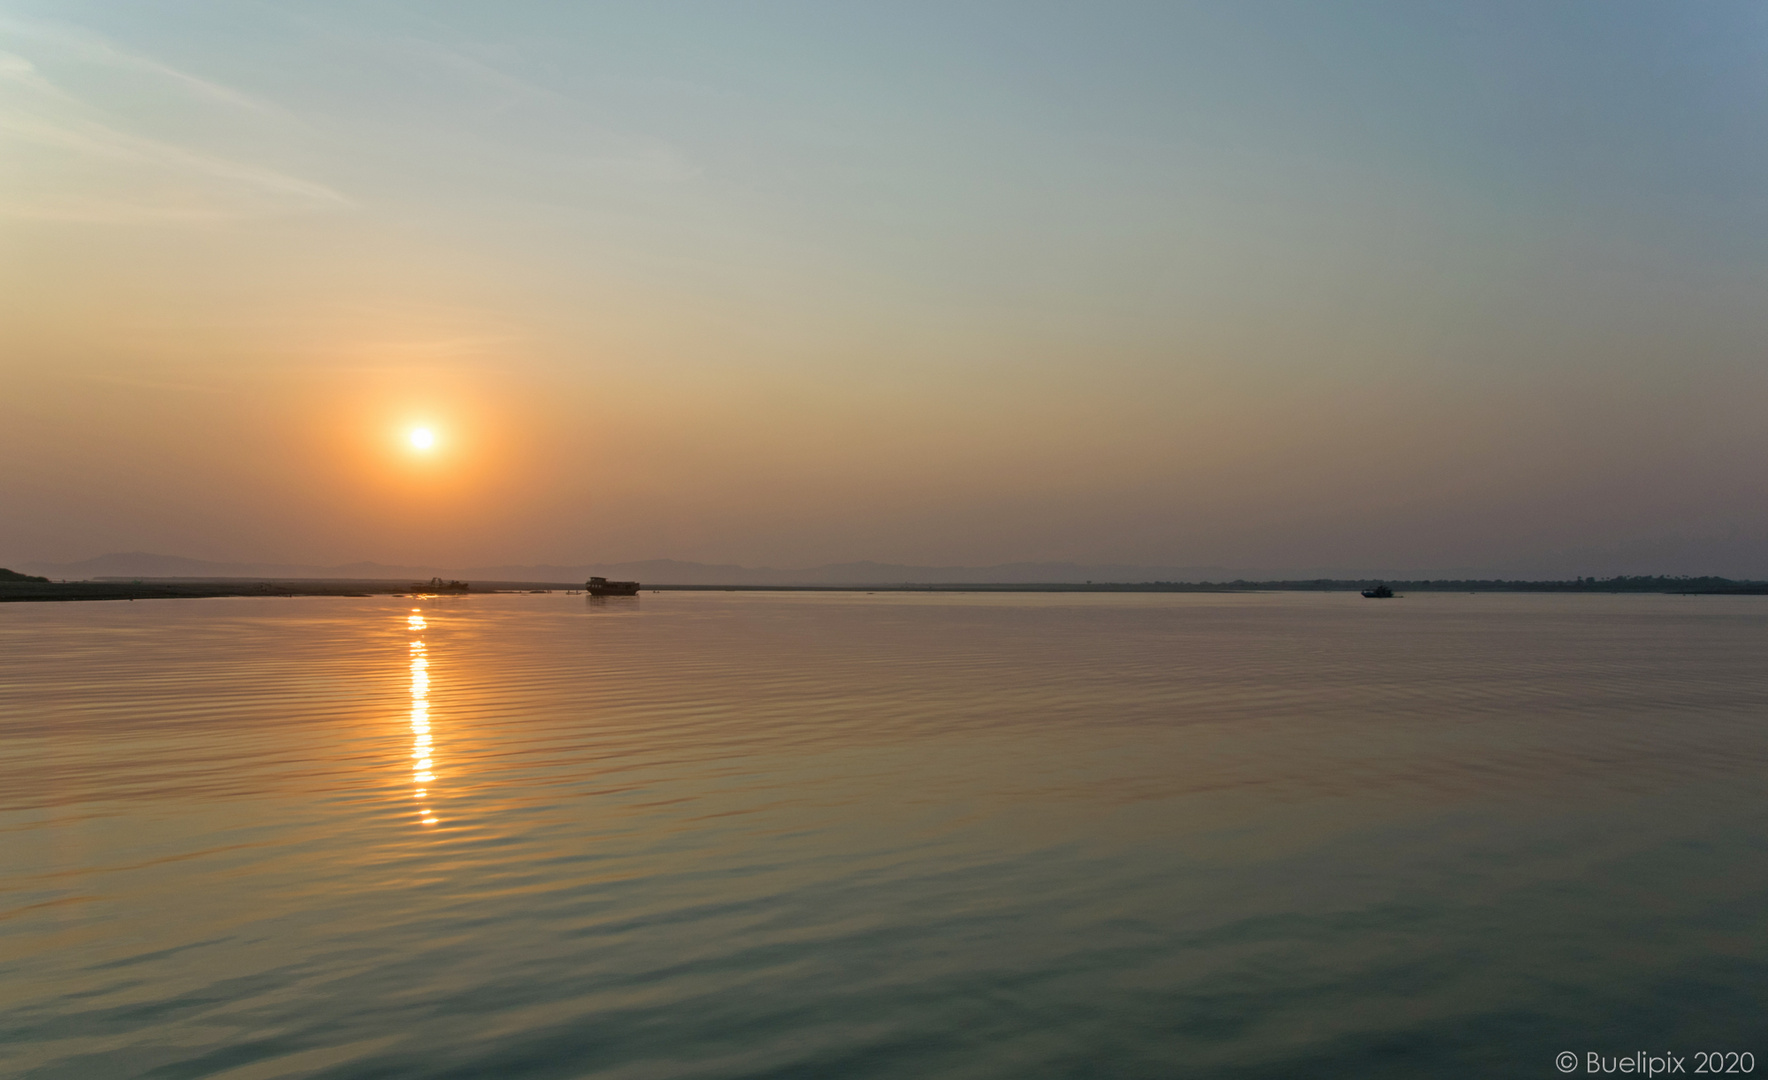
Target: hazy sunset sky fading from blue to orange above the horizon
x,y
1274,285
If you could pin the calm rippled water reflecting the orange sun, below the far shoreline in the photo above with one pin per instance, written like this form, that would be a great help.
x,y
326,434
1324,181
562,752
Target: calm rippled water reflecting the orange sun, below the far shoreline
x,y
881,837
